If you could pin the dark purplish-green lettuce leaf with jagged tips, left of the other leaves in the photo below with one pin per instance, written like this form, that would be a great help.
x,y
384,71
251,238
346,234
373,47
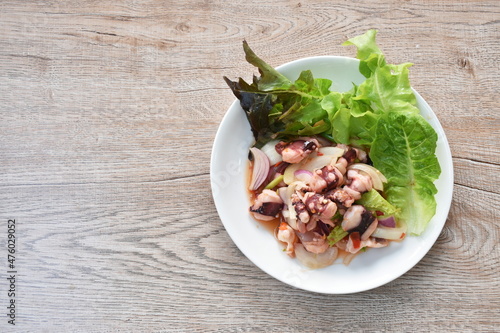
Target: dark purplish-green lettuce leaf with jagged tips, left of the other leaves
x,y
275,106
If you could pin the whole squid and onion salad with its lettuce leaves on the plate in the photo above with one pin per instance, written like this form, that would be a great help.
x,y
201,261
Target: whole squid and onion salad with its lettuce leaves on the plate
x,y
339,173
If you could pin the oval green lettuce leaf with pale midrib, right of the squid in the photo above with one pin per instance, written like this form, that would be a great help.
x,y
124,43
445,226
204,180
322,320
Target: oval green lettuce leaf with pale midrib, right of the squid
x,y
404,151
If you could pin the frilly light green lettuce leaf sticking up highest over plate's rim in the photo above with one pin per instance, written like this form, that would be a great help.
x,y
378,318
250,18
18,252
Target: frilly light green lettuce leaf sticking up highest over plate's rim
x,y
386,89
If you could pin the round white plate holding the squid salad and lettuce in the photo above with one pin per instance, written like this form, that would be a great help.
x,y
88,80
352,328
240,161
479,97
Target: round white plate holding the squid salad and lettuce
x,y
228,174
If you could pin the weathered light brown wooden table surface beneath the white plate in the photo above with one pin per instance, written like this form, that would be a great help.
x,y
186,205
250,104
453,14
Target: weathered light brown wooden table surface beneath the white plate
x,y
108,114
